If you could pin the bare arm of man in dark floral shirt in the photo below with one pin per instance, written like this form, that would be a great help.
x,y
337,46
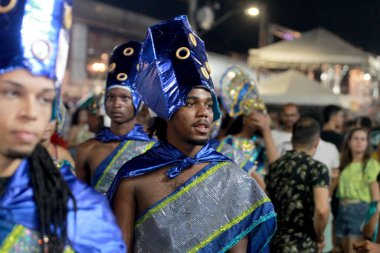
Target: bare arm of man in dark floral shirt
x,y
321,212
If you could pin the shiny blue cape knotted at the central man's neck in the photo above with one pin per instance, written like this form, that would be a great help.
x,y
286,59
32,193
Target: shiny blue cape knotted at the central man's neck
x,y
160,156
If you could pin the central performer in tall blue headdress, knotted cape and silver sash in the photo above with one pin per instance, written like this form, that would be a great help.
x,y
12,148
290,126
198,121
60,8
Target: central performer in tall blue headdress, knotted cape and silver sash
x,y
182,195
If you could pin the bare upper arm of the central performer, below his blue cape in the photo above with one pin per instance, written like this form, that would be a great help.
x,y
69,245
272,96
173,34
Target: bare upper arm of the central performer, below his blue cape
x,y
124,210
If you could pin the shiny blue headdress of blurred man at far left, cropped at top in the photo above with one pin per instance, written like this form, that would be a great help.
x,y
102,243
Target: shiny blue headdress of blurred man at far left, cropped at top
x,y
34,36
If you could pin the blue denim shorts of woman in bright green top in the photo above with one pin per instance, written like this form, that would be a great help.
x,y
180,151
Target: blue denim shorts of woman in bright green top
x,y
351,219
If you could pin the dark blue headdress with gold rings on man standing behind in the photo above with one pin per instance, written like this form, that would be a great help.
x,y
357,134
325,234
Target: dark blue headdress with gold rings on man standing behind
x,y
122,69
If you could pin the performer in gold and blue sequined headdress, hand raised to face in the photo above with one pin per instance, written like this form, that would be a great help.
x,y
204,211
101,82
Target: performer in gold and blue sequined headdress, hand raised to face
x,y
240,97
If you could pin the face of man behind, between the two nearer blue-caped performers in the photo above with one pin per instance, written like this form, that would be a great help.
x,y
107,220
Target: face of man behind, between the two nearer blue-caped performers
x,y
119,105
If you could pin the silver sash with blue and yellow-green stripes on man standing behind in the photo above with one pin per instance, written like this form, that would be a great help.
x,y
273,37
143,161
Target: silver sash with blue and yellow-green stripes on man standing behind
x,y
108,168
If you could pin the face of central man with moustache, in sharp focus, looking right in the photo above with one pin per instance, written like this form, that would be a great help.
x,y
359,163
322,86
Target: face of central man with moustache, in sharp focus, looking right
x,y
192,123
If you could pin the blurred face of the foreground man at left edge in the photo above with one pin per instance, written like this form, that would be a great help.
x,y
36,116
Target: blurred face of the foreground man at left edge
x,y
26,103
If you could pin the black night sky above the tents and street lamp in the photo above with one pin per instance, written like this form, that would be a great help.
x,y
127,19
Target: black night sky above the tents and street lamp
x,y
358,22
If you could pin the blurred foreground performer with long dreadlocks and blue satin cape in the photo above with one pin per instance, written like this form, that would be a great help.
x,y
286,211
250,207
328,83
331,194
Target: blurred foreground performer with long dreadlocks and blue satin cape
x,y
42,208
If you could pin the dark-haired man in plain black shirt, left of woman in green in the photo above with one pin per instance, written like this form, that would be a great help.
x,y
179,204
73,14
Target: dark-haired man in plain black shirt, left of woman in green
x,y
333,118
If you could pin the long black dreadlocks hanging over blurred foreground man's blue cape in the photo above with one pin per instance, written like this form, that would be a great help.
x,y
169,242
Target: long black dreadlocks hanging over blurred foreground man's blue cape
x,y
51,194
